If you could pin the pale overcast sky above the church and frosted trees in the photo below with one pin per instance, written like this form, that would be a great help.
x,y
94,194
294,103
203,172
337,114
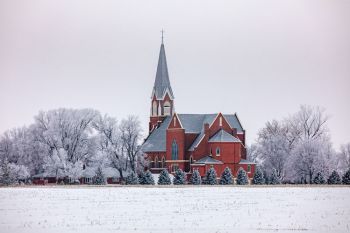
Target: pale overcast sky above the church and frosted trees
x,y
261,59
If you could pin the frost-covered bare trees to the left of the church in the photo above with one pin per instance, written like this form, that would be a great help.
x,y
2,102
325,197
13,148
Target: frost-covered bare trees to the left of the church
x,y
64,142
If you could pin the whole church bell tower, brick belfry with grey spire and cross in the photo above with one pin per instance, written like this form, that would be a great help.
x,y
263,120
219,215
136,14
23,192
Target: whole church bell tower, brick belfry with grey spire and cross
x,y
162,99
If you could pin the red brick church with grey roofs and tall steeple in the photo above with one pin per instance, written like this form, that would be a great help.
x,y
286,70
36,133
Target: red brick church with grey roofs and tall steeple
x,y
191,141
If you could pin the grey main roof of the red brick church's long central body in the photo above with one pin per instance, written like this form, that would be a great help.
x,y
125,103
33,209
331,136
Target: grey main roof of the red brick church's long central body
x,y
192,123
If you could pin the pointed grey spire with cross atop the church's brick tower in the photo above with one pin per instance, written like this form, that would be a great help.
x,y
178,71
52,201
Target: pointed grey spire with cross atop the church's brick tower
x,y
162,82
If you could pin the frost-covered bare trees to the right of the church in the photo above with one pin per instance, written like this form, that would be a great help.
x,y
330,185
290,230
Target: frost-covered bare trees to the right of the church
x,y
298,149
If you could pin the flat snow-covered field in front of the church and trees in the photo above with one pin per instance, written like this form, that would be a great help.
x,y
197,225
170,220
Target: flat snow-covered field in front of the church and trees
x,y
187,209
